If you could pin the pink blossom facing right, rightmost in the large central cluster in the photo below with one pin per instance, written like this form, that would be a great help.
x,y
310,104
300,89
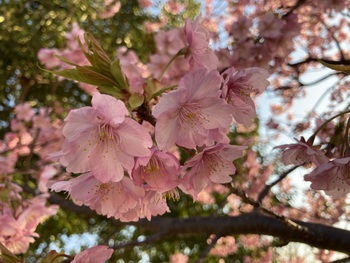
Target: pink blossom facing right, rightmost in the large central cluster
x,y
239,85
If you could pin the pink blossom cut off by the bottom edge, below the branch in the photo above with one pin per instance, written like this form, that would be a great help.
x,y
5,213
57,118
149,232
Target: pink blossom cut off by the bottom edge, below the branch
x,y
97,254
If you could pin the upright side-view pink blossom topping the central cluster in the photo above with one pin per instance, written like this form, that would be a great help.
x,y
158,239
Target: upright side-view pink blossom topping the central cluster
x,y
198,39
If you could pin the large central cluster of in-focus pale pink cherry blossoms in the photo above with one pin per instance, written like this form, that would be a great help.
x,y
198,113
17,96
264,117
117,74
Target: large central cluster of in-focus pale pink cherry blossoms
x,y
125,169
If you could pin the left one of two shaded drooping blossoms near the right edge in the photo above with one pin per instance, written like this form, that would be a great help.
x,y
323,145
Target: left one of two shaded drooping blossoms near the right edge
x,y
301,153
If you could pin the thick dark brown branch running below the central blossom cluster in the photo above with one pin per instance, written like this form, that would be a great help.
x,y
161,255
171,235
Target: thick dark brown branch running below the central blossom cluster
x,y
317,235
